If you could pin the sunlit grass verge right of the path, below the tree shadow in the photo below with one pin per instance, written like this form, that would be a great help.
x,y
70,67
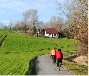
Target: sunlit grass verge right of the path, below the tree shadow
x,y
76,68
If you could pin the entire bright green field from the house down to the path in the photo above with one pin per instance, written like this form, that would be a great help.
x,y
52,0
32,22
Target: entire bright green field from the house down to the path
x,y
18,49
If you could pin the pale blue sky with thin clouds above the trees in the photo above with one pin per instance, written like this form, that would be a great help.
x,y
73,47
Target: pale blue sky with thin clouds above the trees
x,y
12,10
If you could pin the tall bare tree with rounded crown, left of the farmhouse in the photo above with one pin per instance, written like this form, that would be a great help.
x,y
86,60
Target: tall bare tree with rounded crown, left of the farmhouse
x,y
30,17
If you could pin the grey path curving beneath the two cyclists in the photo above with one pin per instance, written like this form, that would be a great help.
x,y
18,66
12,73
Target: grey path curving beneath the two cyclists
x,y
44,66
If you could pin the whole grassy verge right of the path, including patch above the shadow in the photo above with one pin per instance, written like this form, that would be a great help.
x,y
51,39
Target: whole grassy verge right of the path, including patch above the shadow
x,y
75,68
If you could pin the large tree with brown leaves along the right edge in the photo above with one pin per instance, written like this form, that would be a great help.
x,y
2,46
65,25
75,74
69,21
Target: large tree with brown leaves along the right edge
x,y
77,19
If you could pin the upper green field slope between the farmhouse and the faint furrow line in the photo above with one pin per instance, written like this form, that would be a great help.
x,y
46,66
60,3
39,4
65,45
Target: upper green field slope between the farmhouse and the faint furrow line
x,y
21,42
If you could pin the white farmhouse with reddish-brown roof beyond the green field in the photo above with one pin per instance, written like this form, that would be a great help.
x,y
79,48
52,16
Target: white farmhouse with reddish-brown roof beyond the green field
x,y
51,32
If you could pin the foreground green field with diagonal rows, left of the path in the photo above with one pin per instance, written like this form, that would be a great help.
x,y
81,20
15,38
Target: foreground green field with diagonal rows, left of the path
x,y
14,63
